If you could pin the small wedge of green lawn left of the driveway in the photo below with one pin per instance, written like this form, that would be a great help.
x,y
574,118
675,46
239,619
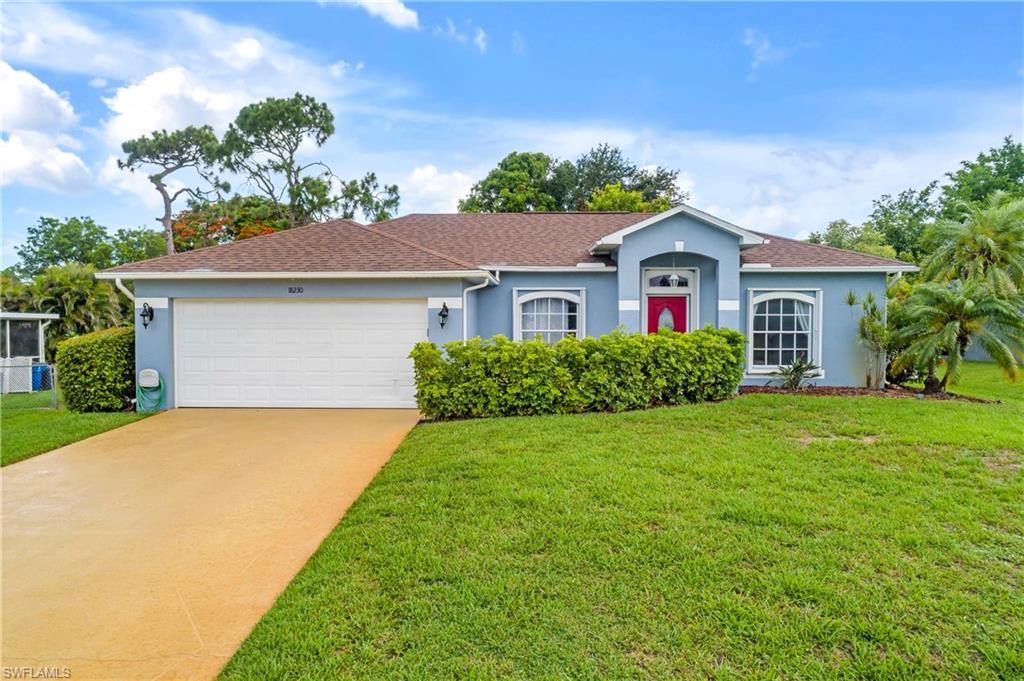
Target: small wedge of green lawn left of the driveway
x,y
26,433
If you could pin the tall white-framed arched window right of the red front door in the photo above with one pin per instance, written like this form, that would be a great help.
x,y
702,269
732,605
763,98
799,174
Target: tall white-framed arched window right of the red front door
x,y
781,327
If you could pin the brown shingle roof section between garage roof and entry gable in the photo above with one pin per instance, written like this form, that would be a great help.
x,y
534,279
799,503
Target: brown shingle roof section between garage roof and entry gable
x,y
538,240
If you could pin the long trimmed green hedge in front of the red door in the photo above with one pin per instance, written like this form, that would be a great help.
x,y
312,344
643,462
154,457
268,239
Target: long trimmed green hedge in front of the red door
x,y
614,373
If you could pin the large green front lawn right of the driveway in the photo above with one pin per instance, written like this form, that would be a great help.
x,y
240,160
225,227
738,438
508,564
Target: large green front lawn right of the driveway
x,y
767,537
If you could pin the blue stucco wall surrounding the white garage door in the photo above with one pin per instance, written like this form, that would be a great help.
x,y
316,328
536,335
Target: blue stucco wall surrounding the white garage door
x,y
155,345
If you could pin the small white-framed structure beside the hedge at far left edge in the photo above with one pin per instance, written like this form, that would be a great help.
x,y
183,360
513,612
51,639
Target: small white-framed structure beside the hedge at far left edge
x,y
23,345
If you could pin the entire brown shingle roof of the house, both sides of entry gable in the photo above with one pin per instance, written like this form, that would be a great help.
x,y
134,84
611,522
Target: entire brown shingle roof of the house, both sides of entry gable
x,y
460,242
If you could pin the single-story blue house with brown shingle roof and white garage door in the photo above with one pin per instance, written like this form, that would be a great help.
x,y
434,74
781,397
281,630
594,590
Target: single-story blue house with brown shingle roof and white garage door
x,y
326,315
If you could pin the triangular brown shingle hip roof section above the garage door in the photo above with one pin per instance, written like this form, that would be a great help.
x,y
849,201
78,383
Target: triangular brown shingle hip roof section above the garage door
x,y
335,246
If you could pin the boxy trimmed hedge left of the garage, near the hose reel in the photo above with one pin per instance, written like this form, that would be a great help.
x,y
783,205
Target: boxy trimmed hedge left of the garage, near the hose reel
x,y
97,372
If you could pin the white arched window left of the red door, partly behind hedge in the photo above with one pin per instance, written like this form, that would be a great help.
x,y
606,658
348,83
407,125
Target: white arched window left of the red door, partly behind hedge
x,y
550,315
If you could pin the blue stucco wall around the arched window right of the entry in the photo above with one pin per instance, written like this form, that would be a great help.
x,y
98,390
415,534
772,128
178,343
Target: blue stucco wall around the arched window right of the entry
x,y
843,358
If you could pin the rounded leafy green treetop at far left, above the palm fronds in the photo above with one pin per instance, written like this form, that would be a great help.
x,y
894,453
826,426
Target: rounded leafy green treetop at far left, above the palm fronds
x,y
53,242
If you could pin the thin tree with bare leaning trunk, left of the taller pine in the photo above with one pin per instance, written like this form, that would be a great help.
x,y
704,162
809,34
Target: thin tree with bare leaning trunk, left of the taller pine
x,y
193,149
